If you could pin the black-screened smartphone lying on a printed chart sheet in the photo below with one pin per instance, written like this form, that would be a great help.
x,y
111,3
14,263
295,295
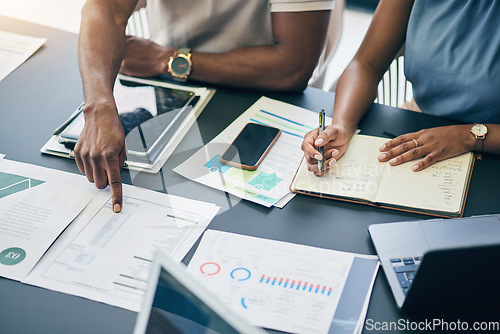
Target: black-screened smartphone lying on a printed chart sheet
x,y
251,146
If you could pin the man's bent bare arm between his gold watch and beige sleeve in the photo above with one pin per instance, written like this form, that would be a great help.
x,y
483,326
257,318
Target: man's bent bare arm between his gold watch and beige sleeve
x,y
286,65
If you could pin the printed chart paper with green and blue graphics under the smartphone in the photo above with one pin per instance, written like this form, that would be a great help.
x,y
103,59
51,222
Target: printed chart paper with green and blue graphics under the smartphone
x,y
270,182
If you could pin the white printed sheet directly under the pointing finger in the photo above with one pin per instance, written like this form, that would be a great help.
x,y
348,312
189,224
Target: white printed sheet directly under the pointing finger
x,y
106,256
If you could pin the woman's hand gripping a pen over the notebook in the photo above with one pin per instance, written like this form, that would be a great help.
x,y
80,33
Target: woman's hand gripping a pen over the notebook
x,y
334,139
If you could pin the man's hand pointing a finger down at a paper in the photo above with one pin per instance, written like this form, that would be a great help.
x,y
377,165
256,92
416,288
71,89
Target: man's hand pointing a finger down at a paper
x,y
100,151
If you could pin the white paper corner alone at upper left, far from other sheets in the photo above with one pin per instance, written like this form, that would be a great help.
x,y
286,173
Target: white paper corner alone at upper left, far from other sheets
x,y
15,49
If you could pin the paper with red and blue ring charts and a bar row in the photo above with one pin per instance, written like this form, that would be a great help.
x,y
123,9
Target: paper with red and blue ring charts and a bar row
x,y
273,284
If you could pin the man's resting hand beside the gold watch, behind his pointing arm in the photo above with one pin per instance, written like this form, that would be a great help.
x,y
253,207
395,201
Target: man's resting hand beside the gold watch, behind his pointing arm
x,y
144,58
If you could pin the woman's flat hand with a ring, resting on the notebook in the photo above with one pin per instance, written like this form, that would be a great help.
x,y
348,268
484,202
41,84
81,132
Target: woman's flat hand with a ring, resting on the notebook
x,y
433,144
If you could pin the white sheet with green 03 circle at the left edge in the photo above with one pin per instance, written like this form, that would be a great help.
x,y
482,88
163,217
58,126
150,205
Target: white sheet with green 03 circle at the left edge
x,y
36,205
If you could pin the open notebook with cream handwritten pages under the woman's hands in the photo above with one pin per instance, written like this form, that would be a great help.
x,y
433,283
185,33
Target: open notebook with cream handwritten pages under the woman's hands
x,y
438,190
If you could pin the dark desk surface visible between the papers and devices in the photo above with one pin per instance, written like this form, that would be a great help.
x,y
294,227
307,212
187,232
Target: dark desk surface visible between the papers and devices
x,y
41,94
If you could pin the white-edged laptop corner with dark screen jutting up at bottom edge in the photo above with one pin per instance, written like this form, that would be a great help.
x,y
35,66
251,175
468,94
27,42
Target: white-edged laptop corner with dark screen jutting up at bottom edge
x,y
175,303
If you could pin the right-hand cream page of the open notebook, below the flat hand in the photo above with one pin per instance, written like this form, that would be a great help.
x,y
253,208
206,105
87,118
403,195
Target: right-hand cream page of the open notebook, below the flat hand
x,y
439,187
